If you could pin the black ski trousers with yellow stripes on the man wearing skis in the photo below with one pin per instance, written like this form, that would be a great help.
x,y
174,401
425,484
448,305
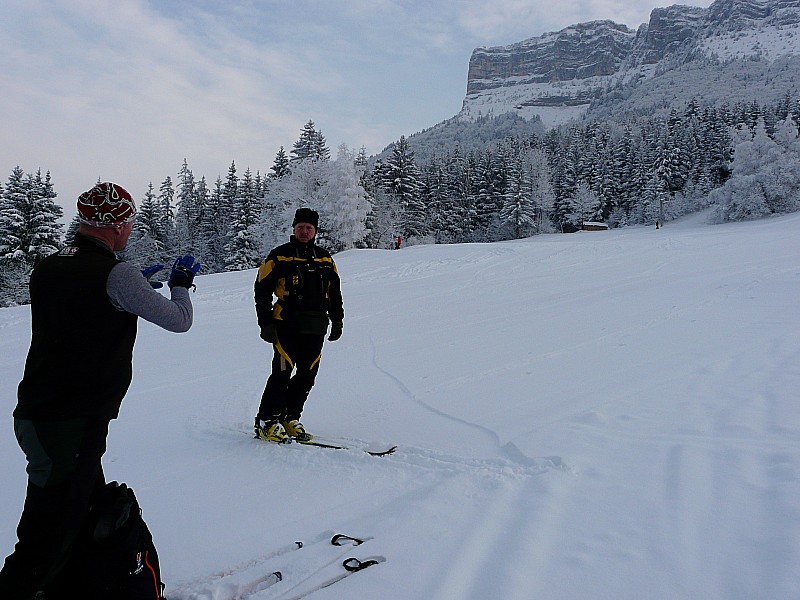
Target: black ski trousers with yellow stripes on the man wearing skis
x,y
285,394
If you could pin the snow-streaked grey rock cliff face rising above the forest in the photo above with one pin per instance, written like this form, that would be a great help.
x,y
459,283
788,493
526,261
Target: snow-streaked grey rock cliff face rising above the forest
x,y
558,74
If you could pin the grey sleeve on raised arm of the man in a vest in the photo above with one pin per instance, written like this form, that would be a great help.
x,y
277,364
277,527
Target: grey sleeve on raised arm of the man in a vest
x,y
130,291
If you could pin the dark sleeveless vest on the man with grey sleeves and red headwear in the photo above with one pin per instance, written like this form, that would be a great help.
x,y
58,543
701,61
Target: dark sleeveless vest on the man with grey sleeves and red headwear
x,y
79,362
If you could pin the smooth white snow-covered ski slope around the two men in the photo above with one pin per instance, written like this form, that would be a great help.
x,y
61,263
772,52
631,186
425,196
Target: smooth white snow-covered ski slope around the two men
x,y
597,415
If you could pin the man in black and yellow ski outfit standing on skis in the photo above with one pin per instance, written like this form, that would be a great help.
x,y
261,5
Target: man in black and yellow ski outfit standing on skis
x,y
303,278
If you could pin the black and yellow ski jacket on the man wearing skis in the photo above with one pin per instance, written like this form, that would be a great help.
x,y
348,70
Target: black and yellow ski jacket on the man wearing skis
x,y
304,279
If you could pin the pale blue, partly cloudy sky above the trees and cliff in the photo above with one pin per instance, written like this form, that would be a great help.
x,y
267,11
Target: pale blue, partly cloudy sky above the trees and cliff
x,y
124,90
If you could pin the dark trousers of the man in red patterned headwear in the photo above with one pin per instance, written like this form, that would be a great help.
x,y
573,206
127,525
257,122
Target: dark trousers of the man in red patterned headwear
x,y
64,470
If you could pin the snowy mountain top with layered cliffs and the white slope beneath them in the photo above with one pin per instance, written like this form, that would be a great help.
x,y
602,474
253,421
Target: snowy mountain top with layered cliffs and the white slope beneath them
x,y
560,75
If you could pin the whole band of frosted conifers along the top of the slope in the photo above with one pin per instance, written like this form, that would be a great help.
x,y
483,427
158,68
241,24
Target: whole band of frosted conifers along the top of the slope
x,y
743,158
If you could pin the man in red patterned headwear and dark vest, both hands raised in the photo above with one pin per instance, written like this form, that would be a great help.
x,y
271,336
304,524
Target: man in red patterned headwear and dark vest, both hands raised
x,y
84,308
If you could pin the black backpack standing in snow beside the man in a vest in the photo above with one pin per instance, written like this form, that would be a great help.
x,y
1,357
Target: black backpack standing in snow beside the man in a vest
x,y
114,557
